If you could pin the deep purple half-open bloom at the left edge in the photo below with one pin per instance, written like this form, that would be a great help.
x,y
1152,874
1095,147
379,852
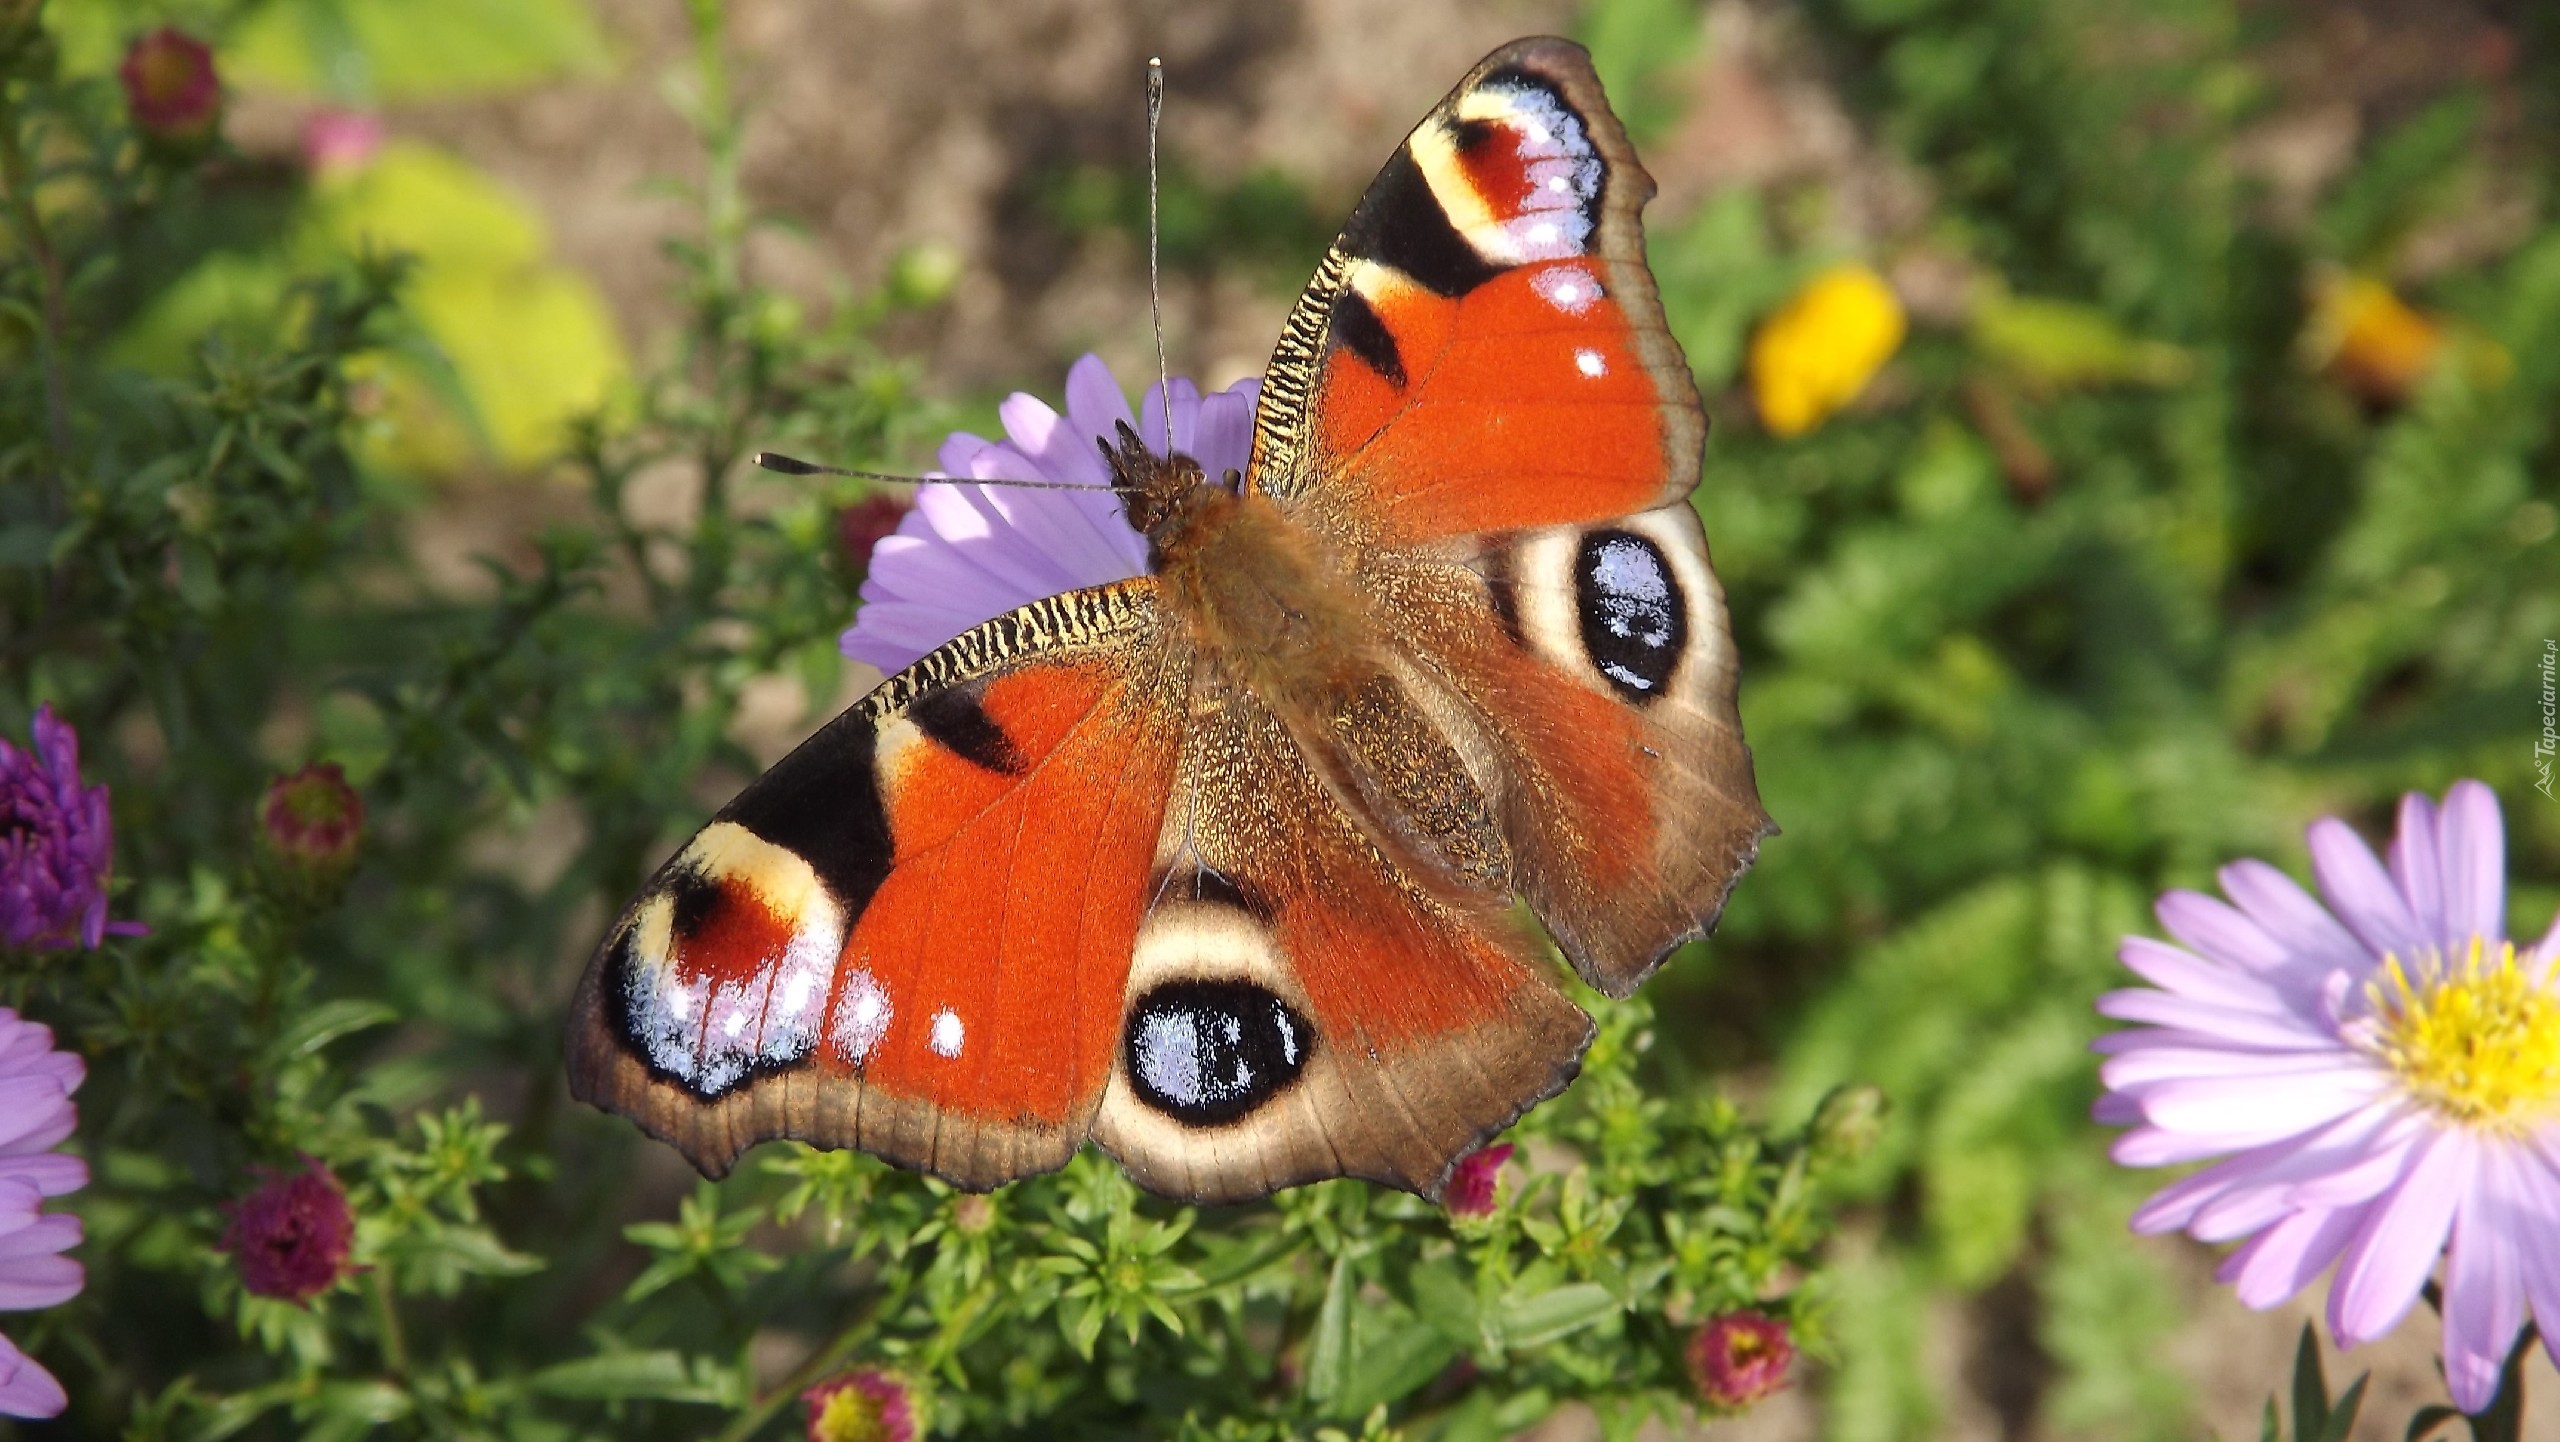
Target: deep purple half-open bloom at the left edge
x,y
55,847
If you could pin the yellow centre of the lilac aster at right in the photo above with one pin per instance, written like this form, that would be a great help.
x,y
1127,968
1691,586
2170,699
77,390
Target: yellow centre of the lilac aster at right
x,y
2479,1041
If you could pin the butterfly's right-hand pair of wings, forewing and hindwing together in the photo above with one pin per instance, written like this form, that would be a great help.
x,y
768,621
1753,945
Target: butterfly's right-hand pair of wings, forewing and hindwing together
x,y
1481,403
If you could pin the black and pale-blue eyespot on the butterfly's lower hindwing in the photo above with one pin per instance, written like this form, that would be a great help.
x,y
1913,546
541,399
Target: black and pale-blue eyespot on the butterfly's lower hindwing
x,y
1212,1051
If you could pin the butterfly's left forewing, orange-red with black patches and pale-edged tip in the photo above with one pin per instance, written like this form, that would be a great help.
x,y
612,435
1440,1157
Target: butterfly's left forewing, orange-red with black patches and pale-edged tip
x,y
913,936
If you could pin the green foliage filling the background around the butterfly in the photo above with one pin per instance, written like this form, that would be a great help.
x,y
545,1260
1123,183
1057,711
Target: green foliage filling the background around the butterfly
x,y
1996,713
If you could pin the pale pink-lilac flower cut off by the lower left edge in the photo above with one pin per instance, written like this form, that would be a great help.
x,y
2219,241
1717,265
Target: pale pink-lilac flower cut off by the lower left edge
x,y
37,1087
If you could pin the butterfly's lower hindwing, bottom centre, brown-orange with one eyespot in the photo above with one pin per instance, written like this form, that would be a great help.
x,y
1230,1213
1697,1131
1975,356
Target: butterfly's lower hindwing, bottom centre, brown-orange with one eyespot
x,y
1302,1005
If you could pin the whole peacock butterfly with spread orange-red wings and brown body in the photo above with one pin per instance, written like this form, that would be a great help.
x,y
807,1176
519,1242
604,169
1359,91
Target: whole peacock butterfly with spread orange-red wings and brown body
x,y
1217,864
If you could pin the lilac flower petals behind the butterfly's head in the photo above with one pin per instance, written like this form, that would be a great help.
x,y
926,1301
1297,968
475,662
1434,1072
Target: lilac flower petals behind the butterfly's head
x,y
969,555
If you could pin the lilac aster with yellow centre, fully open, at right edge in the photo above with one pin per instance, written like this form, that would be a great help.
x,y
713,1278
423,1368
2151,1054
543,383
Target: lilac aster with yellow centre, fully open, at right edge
x,y
2380,1080
